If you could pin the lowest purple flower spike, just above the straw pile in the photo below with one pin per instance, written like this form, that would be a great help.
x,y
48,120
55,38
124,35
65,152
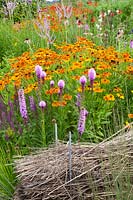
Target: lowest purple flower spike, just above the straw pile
x,y
82,119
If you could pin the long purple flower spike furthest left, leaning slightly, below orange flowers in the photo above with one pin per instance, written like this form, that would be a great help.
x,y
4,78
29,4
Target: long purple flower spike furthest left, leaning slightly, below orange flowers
x,y
22,104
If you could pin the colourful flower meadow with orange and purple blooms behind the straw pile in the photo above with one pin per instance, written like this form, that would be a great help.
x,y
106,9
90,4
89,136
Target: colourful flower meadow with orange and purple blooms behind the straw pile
x,y
65,67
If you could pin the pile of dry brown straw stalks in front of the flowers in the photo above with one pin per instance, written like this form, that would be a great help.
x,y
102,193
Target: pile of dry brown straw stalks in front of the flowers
x,y
96,170
